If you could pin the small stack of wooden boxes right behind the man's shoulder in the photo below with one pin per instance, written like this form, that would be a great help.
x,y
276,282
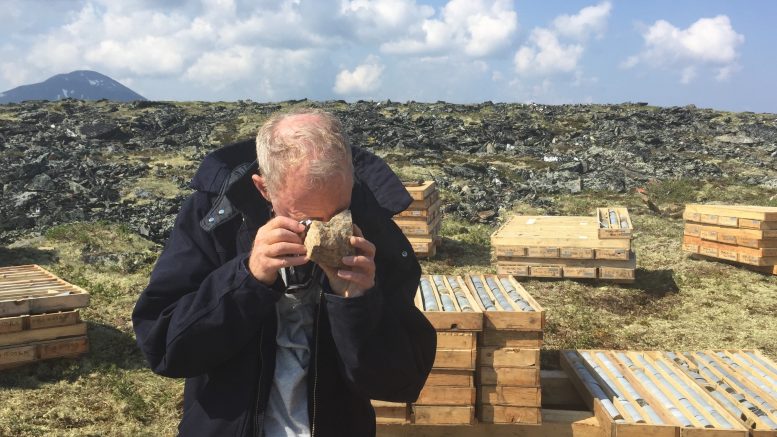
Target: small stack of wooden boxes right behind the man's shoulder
x,y
422,220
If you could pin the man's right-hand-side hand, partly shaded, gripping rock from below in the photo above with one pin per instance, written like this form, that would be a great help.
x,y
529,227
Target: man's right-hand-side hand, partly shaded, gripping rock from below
x,y
360,277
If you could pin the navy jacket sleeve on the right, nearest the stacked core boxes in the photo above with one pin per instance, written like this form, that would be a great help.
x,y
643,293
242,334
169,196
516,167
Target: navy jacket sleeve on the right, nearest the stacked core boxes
x,y
386,345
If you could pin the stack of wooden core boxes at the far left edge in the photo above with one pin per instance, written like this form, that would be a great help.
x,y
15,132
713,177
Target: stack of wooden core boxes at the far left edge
x,y
39,317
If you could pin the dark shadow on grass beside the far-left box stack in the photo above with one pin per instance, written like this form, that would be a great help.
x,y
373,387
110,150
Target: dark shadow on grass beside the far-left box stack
x,y
109,349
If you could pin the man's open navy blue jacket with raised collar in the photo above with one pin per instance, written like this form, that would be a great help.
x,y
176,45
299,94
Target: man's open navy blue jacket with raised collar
x,y
205,318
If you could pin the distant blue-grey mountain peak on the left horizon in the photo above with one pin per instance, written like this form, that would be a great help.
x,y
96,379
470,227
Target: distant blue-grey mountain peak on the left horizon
x,y
79,84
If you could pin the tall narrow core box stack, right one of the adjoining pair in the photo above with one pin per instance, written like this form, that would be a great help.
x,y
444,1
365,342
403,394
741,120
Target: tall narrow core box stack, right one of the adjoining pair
x,y
508,375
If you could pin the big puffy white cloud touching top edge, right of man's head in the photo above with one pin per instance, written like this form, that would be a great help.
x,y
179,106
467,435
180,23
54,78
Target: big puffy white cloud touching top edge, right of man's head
x,y
478,28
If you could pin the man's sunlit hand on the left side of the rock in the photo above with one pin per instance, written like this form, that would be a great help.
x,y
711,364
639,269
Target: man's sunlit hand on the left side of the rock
x,y
277,245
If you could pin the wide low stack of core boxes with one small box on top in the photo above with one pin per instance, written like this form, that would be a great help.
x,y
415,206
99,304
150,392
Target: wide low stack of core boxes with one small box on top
x,y
597,247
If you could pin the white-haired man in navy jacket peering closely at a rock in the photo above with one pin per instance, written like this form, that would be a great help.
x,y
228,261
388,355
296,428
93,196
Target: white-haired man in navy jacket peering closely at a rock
x,y
269,345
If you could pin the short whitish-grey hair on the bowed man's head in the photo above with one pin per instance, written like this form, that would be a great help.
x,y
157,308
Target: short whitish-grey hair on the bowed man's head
x,y
320,145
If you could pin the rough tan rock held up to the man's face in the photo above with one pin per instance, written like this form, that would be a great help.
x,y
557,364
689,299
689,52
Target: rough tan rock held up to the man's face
x,y
328,242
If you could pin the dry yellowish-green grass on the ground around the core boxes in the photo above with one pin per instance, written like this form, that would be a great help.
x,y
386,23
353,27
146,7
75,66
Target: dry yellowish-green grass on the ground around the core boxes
x,y
677,303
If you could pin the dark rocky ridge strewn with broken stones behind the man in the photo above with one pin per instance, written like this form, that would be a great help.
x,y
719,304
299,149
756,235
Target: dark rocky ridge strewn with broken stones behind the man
x,y
130,162
